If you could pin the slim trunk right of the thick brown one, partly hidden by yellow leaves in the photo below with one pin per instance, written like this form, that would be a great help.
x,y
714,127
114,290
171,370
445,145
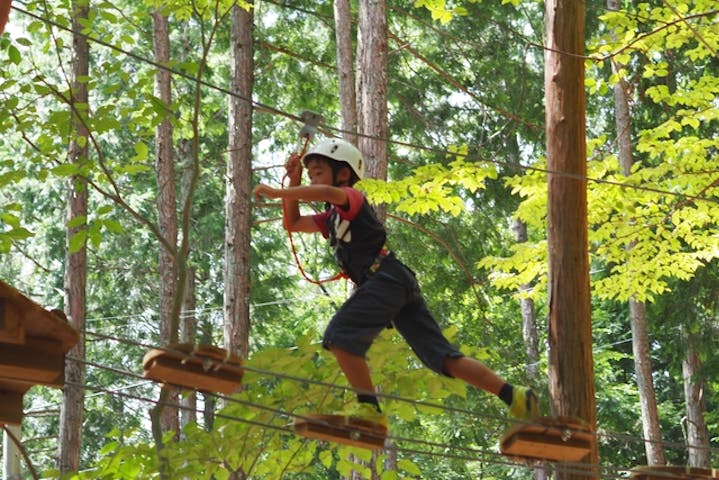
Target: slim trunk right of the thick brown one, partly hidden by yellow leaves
x,y
637,310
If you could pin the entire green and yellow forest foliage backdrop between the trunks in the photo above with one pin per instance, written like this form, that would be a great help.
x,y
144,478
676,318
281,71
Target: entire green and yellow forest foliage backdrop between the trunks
x,y
466,116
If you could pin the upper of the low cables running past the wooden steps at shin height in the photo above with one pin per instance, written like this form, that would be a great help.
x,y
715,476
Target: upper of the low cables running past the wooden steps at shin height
x,y
414,402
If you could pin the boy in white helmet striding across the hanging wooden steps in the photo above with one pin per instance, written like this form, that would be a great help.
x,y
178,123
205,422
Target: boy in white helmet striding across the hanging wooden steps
x,y
387,291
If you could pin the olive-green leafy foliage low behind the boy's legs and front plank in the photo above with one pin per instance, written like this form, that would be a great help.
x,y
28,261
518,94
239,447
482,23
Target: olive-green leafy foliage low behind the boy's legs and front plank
x,y
252,433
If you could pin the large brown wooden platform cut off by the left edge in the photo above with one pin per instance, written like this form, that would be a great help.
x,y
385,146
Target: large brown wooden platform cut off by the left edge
x,y
33,344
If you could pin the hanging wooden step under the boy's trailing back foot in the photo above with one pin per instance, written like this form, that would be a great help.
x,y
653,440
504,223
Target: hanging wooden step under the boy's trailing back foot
x,y
561,439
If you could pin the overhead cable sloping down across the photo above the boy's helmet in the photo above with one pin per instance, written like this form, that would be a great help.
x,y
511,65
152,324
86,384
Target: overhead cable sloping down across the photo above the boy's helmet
x,y
260,107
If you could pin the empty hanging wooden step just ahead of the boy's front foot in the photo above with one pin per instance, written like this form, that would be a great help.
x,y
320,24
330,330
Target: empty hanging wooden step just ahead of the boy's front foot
x,y
195,367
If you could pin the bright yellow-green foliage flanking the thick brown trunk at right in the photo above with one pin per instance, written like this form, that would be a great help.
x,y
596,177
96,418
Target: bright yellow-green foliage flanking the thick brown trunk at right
x,y
664,209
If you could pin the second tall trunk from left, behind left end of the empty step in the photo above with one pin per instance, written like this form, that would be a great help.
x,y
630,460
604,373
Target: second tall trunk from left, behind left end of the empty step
x,y
167,217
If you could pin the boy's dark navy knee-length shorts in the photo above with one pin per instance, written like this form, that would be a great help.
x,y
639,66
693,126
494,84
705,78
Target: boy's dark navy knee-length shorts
x,y
390,296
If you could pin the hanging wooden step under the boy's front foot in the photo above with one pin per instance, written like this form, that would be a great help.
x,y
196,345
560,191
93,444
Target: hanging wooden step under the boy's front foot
x,y
342,429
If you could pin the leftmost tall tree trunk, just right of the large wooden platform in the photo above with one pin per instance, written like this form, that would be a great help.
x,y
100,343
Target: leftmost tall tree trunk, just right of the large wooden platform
x,y
71,410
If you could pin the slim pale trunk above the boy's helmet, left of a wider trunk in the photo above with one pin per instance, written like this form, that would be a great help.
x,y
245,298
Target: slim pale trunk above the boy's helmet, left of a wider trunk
x,y
345,71
